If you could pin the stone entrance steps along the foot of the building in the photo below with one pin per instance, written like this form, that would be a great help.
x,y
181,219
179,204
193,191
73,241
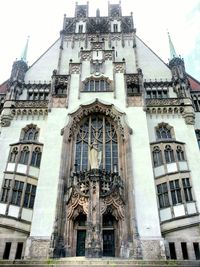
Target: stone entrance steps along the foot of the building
x,y
103,262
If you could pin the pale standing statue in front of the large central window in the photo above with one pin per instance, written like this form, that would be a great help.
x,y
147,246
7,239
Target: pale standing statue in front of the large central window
x,y
94,156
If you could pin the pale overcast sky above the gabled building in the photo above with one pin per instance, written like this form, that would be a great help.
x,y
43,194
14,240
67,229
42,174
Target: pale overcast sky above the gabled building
x,y
42,20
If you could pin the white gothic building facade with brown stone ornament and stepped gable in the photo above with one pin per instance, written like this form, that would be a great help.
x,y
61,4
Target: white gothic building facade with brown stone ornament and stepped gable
x,y
100,148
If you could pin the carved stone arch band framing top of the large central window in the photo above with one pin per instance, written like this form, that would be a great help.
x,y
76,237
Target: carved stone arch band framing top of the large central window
x,y
95,107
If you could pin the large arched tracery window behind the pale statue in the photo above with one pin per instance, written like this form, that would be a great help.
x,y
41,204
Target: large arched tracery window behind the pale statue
x,y
97,129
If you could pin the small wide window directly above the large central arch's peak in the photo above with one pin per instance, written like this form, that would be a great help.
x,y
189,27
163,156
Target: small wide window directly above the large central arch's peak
x,y
97,85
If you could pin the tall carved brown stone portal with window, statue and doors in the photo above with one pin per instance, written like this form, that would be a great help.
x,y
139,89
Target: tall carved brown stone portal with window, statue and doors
x,y
95,224
